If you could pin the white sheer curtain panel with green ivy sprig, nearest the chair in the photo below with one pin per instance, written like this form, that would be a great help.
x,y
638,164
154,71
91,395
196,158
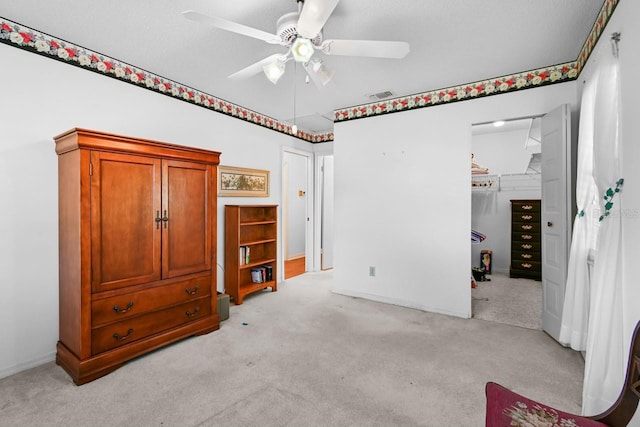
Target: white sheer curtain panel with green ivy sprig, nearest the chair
x,y
605,361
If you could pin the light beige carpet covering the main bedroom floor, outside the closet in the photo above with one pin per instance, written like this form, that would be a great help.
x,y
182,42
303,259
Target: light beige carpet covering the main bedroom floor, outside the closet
x,y
303,356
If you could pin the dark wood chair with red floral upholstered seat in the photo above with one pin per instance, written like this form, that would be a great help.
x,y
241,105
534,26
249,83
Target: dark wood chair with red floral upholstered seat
x,y
506,408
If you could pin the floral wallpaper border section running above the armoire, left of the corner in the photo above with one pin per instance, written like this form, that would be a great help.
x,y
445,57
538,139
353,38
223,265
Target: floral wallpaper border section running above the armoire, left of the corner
x,y
20,36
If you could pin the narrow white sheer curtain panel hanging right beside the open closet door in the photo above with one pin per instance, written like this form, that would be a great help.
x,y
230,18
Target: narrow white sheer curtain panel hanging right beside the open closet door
x,y
575,314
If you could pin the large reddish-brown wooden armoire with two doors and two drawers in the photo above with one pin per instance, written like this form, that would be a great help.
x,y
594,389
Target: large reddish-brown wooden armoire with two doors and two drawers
x,y
137,242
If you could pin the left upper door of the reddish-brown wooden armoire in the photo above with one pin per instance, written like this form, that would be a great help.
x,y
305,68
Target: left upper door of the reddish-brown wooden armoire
x,y
125,220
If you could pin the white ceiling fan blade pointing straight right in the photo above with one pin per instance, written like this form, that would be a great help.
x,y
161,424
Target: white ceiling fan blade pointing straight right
x,y
371,48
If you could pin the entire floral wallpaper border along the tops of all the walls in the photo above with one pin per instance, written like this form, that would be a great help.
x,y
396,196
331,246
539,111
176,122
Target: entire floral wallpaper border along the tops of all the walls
x,y
17,35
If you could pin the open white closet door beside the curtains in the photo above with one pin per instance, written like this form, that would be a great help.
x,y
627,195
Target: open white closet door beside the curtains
x,y
556,206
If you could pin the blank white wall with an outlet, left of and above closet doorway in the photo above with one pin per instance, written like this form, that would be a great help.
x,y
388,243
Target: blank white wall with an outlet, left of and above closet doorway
x,y
403,199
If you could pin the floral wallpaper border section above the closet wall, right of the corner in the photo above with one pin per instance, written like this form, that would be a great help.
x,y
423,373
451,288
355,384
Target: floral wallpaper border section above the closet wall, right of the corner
x,y
519,81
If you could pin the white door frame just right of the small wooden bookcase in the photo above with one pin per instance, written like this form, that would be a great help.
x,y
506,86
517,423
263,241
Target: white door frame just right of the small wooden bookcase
x,y
309,207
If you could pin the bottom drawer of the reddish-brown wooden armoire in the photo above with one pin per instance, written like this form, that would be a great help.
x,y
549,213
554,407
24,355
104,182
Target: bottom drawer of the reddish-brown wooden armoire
x,y
135,328
